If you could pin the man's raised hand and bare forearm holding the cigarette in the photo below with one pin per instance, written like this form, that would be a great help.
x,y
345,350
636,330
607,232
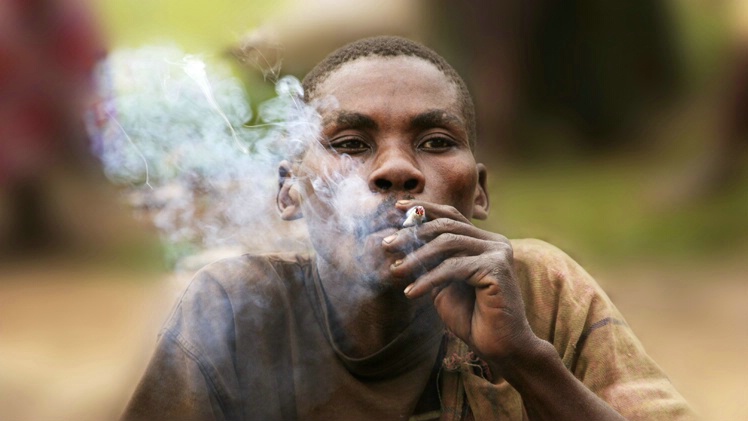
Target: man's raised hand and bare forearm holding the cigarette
x,y
469,274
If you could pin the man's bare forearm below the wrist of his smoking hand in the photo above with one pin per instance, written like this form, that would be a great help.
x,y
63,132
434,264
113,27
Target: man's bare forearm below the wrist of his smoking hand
x,y
549,391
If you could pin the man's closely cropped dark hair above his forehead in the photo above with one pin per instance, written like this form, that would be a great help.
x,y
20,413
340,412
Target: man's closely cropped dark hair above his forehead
x,y
391,46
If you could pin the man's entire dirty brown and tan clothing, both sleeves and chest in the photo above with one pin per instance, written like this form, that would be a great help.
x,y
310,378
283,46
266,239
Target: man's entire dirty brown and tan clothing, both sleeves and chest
x,y
252,339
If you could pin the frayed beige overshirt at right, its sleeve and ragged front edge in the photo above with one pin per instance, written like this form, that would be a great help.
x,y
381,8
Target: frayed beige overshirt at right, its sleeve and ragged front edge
x,y
566,307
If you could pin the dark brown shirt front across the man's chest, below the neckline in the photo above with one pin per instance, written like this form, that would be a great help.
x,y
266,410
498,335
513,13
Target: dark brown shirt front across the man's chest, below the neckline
x,y
296,375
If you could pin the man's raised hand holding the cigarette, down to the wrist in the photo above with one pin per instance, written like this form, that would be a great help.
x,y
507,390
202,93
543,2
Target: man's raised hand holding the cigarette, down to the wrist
x,y
468,272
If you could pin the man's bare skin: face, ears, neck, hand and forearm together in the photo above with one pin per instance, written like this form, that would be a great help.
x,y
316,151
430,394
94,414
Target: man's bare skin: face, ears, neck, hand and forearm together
x,y
397,128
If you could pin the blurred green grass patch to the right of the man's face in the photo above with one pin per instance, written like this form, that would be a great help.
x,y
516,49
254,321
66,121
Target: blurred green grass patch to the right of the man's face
x,y
609,213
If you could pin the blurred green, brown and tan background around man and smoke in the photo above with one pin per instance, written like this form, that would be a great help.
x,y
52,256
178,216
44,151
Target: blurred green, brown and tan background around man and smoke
x,y
615,130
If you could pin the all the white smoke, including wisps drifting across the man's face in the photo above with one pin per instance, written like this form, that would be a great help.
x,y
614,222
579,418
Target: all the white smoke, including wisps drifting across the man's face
x,y
171,130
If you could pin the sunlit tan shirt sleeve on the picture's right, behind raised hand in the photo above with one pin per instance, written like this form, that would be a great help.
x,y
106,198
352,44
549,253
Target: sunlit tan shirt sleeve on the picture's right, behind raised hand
x,y
567,307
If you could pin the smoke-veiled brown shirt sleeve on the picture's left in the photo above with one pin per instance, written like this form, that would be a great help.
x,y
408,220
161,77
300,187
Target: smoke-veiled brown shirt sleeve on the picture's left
x,y
190,376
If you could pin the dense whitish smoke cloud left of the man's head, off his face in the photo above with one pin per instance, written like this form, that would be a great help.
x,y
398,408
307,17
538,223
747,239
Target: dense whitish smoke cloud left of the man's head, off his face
x,y
171,130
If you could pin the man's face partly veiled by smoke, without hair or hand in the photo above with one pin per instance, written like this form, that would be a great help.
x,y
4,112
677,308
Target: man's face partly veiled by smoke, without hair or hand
x,y
392,128
